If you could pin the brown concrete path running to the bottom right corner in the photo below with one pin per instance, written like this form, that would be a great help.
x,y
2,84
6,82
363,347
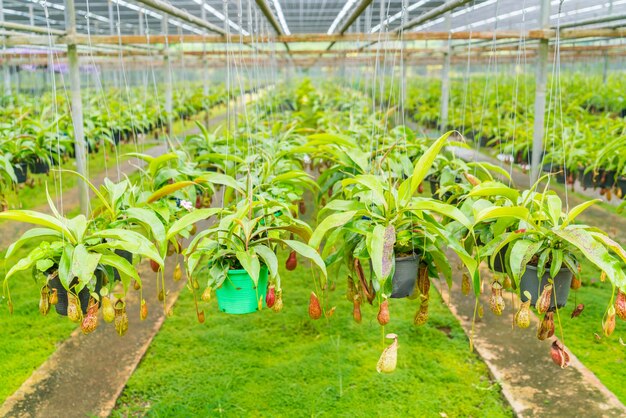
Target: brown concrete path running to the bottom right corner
x,y
521,364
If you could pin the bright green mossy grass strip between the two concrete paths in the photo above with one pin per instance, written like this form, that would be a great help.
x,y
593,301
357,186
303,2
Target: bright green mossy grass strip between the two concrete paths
x,y
285,364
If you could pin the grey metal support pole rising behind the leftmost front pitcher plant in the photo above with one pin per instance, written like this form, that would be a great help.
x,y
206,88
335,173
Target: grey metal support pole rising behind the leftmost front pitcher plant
x,y
80,147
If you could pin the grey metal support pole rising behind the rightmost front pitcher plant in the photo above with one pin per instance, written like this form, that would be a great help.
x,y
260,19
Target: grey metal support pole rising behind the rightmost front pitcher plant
x,y
540,94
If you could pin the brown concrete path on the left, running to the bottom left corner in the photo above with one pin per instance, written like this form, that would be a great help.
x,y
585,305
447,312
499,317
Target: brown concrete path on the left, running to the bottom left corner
x,y
87,373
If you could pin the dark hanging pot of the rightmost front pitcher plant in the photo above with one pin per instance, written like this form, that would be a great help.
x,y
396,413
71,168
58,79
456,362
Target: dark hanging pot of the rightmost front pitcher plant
x,y
560,291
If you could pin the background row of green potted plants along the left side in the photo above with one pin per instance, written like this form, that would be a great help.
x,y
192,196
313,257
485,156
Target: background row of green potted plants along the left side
x,y
39,133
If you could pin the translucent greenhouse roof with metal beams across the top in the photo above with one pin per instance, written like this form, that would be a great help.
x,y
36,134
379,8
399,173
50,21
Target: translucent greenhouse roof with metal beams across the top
x,y
133,17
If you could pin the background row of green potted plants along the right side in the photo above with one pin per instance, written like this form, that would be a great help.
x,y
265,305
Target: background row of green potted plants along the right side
x,y
586,133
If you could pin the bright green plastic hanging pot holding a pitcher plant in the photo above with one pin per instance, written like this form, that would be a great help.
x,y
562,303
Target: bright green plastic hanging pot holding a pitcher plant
x,y
238,295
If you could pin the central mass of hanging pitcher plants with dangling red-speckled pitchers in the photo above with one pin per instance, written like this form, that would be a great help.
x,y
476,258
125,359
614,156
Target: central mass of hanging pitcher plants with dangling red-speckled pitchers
x,y
374,218
